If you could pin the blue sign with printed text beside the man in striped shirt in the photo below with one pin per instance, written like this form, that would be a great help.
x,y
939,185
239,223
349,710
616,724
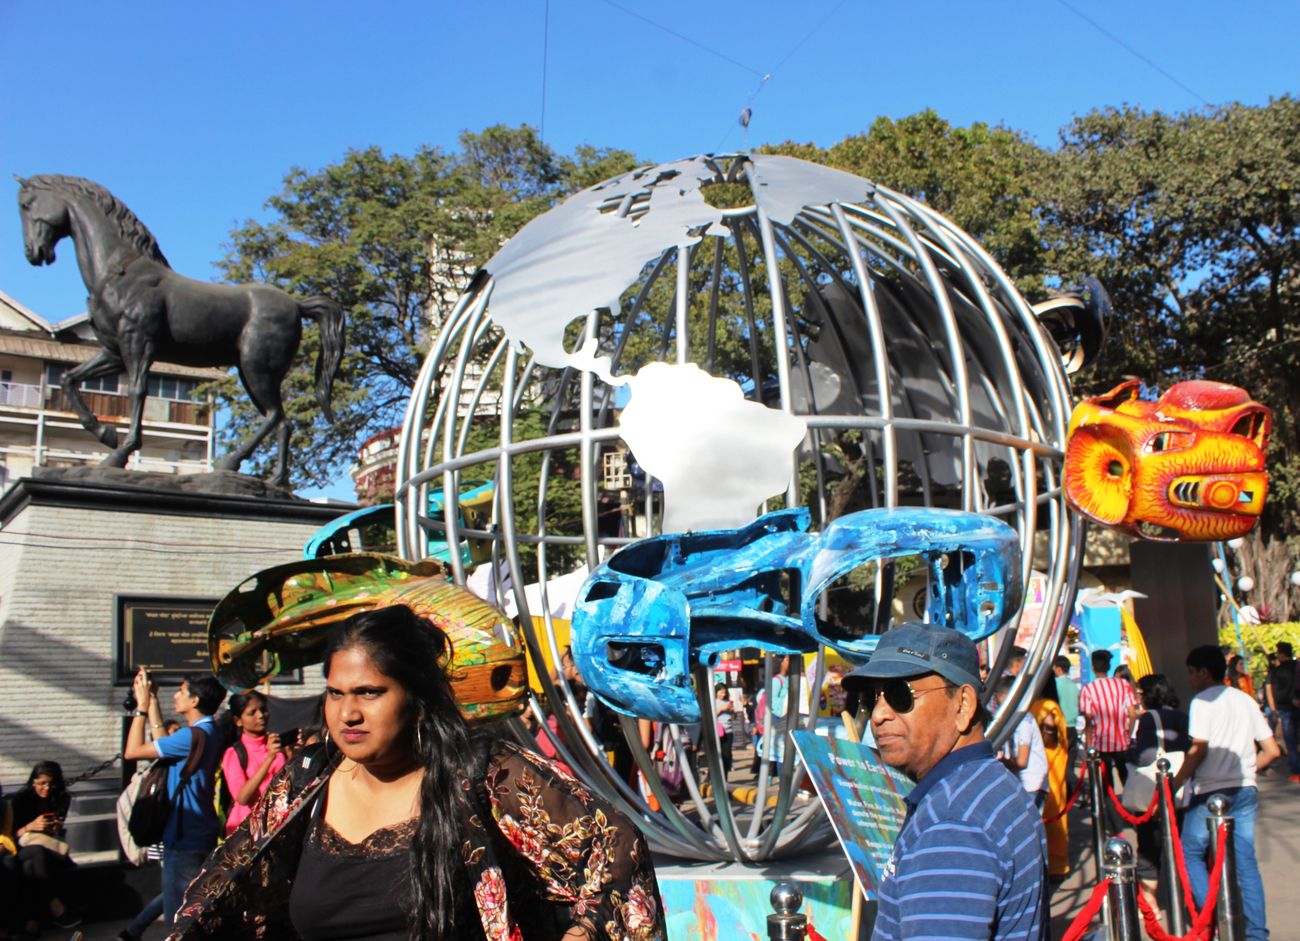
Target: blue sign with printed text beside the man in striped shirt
x,y
863,797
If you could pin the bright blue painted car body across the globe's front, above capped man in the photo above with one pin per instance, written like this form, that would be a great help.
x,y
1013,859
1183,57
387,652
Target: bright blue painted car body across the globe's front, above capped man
x,y
662,605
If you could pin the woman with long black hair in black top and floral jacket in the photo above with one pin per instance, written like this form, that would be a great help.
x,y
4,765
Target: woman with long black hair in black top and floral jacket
x,y
409,825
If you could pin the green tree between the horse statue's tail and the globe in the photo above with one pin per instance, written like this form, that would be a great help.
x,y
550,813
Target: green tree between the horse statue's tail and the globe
x,y
395,240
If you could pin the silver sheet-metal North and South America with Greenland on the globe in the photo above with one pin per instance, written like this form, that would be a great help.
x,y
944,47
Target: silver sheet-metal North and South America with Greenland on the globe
x,y
618,228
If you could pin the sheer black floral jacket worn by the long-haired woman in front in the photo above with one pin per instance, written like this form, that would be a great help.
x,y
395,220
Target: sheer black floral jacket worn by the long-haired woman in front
x,y
543,853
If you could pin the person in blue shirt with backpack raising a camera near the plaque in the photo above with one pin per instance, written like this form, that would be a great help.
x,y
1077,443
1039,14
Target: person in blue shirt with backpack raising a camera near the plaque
x,y
193,827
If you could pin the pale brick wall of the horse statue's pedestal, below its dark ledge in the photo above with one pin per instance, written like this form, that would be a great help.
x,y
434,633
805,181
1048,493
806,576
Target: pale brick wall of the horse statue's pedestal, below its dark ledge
x,y
60,570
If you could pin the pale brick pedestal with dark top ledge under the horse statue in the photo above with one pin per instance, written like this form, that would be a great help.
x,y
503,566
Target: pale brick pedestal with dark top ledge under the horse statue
x,y
70,547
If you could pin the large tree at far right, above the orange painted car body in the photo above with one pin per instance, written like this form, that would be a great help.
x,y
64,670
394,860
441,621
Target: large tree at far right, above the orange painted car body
x,y
1191,223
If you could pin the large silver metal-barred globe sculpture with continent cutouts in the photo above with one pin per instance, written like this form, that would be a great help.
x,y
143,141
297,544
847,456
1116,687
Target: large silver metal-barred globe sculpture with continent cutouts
x,y
690,345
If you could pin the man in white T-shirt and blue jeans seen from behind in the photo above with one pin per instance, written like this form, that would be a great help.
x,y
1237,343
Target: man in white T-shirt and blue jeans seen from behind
x,y
1227,726
